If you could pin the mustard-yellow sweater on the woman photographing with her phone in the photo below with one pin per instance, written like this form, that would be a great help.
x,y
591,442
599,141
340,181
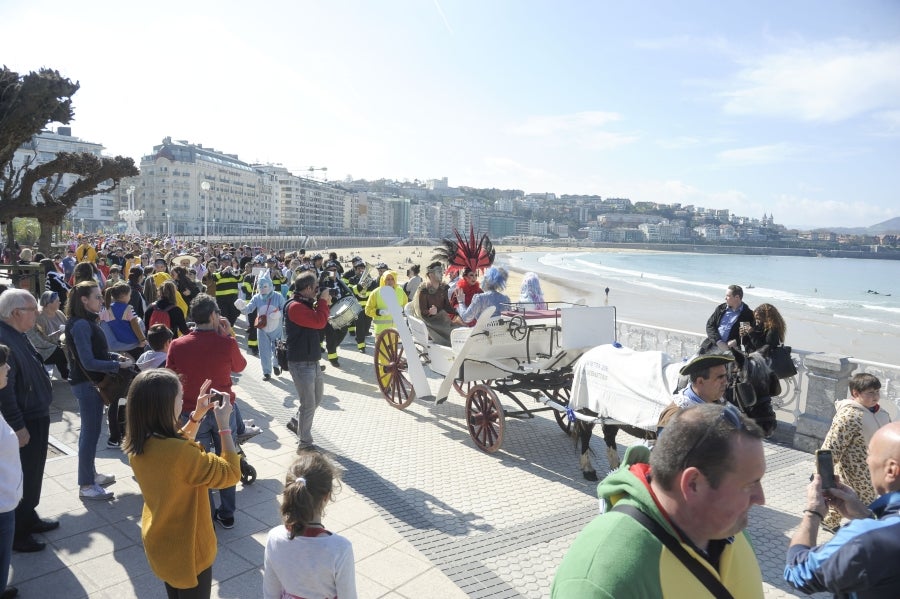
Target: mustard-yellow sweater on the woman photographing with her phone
x,y
176,523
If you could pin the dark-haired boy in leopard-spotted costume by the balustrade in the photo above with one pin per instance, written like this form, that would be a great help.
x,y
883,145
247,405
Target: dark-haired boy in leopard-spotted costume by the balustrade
x,y
855,421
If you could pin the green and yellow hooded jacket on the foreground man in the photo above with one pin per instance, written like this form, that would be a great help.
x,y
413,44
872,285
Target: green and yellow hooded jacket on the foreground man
x,y
615,556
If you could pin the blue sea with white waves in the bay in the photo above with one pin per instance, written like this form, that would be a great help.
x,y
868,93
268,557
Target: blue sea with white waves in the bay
x,y
856,291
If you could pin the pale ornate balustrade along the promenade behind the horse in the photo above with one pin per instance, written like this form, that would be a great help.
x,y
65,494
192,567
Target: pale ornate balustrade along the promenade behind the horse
x,y
805,406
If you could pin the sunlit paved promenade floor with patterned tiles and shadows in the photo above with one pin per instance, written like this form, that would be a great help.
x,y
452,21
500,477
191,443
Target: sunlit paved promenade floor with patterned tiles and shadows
x,y
428,514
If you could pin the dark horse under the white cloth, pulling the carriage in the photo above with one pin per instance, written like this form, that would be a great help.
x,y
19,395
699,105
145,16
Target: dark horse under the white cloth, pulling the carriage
x,y
751,386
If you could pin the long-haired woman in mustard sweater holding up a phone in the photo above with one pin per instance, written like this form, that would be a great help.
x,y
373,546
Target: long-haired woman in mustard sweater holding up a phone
x,y
175,474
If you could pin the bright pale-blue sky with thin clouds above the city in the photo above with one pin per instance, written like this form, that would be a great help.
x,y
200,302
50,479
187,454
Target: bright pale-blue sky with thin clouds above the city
x,y
767,107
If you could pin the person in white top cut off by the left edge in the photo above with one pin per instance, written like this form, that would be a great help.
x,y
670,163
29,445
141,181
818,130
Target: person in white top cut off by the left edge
x,y
10,486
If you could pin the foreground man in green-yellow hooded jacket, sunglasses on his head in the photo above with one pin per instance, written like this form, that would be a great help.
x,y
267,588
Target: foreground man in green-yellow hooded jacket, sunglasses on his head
x,y
676,524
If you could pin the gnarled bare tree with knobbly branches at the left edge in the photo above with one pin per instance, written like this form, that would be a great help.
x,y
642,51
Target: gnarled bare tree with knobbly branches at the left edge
x,y
27,105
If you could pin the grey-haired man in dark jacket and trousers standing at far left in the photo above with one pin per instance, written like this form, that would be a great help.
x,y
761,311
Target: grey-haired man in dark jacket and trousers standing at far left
x,y
25,404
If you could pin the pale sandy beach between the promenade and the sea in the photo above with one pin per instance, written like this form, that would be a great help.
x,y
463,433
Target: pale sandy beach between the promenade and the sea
x,y
636,304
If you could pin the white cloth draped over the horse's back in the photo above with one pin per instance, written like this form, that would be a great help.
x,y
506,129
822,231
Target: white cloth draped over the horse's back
x,y
625,385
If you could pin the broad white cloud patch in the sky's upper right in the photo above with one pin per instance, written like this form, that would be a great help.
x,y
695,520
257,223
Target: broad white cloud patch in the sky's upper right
x,y
824,82
